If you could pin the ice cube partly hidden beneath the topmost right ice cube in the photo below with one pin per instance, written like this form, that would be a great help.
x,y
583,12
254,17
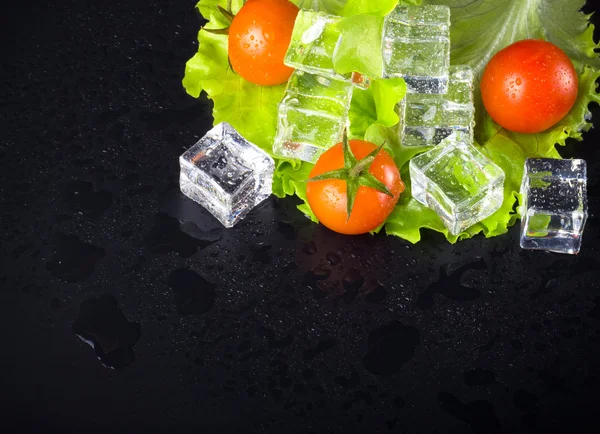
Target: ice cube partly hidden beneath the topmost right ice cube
x,y
430,118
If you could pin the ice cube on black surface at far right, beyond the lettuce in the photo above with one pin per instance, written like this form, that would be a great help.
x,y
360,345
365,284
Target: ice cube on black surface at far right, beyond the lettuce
x,y
554,208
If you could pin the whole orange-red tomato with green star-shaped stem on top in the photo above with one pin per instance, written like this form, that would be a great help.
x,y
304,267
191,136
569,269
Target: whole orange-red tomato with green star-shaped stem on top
x,y
353,187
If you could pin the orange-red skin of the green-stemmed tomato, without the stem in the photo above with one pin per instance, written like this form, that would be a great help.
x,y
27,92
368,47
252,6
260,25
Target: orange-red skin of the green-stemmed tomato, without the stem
x,y
327,198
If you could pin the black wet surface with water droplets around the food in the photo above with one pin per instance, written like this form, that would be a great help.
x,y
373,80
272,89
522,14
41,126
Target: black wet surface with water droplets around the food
x,y
274,326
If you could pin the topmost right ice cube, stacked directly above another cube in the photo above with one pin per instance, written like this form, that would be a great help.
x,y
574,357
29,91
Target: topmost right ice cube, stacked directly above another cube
x,y
416,47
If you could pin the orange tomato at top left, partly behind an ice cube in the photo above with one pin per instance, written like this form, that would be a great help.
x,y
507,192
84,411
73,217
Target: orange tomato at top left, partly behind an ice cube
x,y
259,37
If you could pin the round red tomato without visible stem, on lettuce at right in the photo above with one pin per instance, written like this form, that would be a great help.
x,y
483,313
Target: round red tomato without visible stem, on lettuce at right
x,y
529,86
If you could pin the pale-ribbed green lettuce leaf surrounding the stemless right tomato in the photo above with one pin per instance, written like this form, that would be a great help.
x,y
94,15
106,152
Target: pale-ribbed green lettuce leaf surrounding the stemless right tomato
x,y
481,28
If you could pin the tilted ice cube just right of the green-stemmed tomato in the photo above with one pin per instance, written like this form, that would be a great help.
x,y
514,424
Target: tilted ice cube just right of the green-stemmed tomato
x,y
458,182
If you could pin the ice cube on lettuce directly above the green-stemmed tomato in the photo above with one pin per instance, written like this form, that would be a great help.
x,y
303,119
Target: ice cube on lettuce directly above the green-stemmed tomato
x,y
312,116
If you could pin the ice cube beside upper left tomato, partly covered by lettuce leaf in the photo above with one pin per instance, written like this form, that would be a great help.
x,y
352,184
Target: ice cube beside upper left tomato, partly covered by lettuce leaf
x,y
314,40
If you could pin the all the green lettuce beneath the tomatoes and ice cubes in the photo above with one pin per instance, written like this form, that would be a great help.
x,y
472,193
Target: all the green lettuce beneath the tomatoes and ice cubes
x,y
479,29
